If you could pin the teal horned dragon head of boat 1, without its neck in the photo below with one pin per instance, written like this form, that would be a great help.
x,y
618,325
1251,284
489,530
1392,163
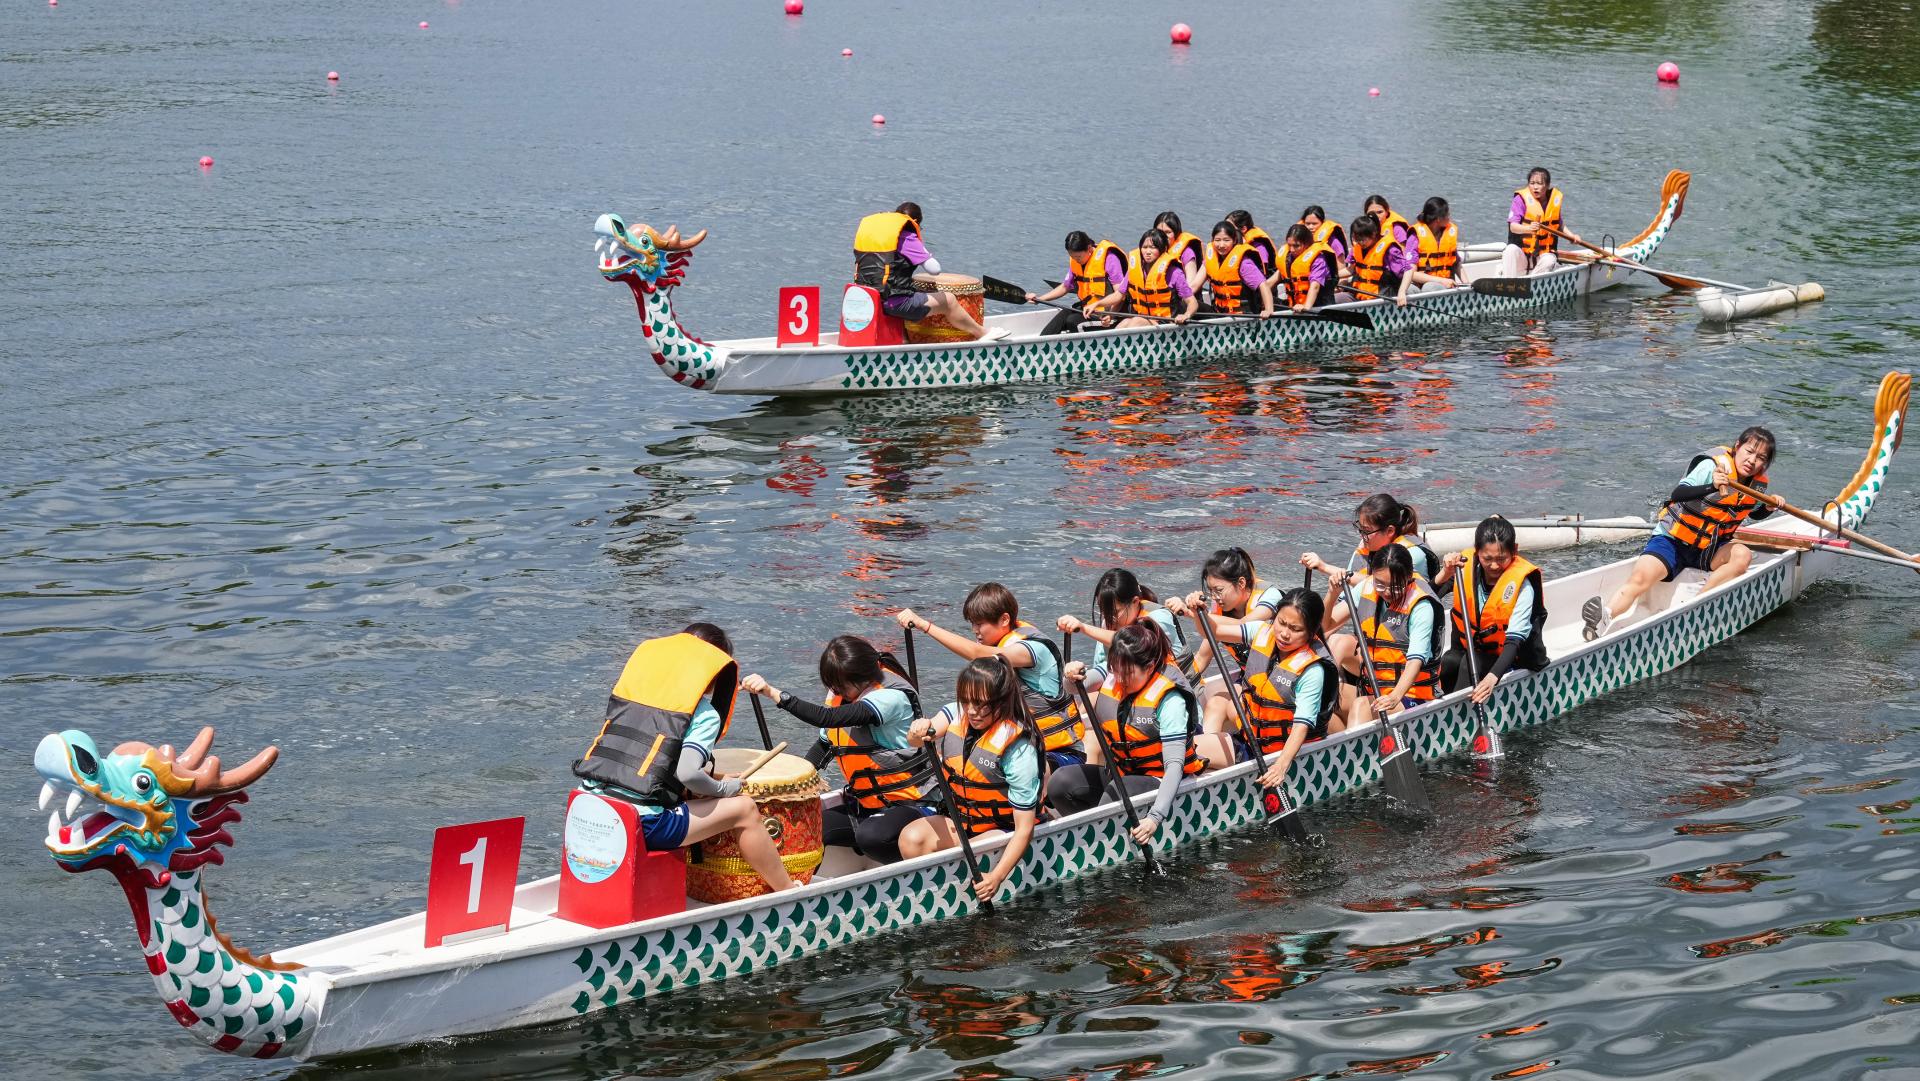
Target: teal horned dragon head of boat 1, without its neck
x,y
139,811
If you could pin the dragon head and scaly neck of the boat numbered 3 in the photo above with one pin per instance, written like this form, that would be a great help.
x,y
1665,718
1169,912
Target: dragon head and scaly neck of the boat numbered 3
x,y
652,264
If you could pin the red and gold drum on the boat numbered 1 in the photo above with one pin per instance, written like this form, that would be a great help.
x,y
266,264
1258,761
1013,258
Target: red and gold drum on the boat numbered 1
x,y
788,792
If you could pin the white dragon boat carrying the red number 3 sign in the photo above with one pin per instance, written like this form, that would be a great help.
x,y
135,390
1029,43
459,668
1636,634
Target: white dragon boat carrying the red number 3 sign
x,y
654,264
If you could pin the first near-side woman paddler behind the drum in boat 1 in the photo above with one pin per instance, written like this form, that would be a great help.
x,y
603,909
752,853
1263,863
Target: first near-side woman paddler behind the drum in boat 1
x,y
994,773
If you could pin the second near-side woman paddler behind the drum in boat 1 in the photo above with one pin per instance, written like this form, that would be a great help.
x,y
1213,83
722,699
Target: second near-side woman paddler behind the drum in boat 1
x,y
1147,711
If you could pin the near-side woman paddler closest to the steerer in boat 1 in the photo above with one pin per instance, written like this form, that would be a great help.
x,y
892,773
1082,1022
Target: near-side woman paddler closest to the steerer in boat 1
x,y
1510,613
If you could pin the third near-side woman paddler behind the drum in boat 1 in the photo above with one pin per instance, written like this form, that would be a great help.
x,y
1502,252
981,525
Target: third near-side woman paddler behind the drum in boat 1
x,y
1291,688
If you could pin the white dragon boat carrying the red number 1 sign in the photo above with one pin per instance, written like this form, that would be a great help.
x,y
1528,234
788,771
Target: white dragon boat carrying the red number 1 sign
x,y
158,819
